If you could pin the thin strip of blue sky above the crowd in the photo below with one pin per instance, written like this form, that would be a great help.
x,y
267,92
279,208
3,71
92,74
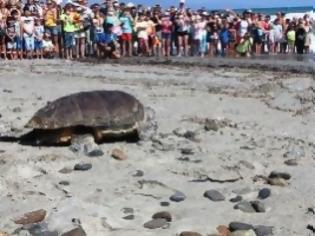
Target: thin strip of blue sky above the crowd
x,y
222,4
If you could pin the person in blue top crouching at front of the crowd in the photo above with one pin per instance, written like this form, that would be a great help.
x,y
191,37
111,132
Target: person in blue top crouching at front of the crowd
x,y
108,43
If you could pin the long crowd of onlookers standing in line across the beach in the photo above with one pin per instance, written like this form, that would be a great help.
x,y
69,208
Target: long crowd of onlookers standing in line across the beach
x,y
49,29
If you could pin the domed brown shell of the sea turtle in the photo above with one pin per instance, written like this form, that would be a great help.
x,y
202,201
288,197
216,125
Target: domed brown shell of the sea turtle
x,y
111,110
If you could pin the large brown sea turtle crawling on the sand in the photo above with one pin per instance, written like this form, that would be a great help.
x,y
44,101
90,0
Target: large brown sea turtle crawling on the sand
x,y
104,114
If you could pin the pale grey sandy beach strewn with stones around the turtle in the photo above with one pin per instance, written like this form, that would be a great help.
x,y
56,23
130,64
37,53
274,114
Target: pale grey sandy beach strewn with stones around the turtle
x,y
223,128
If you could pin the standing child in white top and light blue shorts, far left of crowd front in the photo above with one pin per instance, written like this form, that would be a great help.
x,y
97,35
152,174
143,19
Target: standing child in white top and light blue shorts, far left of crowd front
x,y
28,28
